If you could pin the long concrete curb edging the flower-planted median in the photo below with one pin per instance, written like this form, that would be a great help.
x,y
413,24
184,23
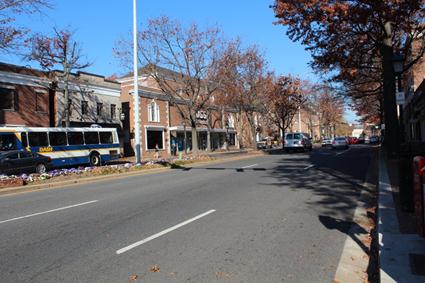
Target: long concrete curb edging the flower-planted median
x,y
87,180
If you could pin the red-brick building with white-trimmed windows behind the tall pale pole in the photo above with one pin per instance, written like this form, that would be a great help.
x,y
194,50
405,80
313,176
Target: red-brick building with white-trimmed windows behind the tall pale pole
x,y
161,123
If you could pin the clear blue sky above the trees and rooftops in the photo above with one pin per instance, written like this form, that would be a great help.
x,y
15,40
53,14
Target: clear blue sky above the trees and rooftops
x,y
99,24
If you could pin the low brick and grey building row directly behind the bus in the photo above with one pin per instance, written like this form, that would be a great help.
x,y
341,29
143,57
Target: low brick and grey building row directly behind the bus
x,y
34,98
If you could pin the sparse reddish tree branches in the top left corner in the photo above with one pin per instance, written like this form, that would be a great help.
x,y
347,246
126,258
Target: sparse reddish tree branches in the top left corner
x,y
11,33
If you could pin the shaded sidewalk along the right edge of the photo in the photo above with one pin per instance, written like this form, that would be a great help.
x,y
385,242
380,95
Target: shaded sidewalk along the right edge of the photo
x,y
402,251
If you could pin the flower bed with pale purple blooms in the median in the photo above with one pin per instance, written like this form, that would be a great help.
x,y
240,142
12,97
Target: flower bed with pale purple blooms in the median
x,y
63,174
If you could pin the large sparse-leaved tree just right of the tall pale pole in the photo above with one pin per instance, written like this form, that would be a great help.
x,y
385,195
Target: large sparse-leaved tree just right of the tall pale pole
x,y
182,61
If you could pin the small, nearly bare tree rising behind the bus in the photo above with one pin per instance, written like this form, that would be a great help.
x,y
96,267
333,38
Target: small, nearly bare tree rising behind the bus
x,y
59,51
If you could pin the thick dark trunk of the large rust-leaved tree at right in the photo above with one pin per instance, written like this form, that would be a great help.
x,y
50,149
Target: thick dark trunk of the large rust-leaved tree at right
x,y
390,107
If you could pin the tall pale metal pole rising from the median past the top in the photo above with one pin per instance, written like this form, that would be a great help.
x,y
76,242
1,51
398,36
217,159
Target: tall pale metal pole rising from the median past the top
x,y
136,89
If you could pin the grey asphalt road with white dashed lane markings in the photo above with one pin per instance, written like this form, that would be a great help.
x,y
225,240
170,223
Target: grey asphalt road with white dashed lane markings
x,y
276,218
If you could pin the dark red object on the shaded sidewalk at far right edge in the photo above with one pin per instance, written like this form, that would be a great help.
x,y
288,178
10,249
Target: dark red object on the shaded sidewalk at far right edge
x,y
419,192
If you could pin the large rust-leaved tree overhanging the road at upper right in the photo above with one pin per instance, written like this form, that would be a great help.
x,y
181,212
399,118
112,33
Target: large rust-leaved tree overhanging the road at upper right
x,y
347,37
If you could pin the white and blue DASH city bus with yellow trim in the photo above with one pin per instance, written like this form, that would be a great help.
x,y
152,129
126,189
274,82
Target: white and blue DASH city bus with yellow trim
x,y
65,146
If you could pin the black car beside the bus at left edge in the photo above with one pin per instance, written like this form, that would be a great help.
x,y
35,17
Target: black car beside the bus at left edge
x,y
19,161
